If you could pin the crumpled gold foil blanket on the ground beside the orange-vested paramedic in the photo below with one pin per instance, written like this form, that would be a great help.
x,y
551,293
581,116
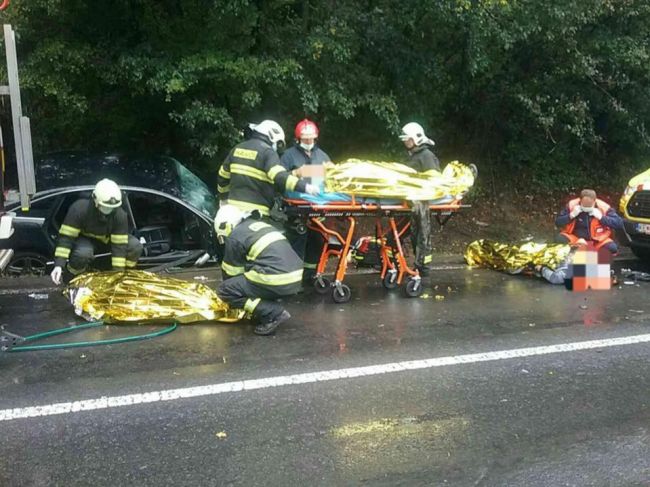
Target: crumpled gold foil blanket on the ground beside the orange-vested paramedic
x,y
514,258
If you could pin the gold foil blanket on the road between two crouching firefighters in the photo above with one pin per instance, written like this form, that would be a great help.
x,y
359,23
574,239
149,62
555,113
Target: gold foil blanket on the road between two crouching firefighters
x,y
139,296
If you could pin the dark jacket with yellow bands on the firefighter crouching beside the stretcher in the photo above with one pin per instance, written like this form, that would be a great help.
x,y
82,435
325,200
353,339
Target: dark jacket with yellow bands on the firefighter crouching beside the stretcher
x,y
265,257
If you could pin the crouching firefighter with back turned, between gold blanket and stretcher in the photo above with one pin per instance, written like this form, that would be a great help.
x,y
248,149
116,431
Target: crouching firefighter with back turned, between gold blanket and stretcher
x,y
259,266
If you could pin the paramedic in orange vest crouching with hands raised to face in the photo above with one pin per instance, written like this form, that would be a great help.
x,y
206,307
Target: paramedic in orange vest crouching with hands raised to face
x,y
588,219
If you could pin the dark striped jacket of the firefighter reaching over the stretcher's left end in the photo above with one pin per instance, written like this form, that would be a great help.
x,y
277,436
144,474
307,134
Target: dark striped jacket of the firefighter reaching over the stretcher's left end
x,y
251,174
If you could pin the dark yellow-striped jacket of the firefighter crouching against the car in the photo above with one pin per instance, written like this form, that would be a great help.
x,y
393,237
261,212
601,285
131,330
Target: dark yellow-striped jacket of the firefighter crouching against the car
x,y
83,218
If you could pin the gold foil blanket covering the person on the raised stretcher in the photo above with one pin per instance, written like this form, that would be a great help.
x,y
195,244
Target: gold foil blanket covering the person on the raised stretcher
x,y
394,180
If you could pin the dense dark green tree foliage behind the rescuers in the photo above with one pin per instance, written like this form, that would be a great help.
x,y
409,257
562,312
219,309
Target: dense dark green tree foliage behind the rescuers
x,y
552,92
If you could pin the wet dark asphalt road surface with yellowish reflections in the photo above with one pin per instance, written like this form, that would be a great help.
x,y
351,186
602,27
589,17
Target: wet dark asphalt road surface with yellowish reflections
x,y
574,418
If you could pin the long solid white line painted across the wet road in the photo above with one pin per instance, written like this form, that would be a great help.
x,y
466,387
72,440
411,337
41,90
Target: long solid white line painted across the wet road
x,y
307,378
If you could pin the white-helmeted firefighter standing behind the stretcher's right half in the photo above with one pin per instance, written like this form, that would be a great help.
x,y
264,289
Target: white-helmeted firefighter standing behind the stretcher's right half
x,y
424,161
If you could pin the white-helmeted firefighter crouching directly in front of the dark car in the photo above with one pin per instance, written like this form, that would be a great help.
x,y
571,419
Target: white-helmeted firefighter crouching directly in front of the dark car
x,y
96,226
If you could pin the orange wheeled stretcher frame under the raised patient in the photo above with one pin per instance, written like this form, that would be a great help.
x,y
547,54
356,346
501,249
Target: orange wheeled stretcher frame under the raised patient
x,y
339,243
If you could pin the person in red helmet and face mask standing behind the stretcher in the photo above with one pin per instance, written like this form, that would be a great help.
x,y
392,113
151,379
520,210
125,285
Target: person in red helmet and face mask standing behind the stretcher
x,y
305,152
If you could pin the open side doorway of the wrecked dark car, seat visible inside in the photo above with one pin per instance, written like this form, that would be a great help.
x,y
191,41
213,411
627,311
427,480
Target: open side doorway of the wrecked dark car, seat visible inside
x,y
169,230
